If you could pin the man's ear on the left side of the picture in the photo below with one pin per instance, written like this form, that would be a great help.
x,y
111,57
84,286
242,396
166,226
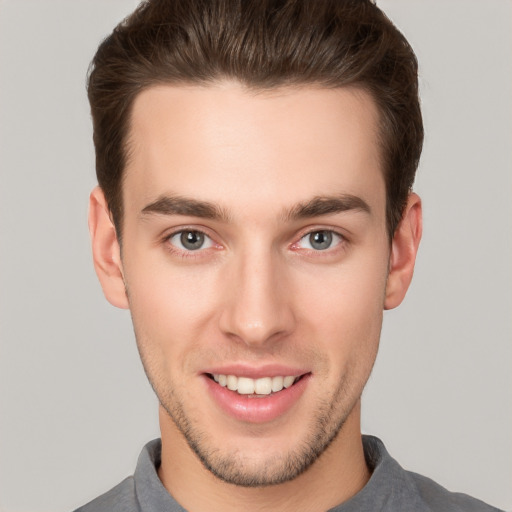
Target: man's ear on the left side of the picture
x,y
106,251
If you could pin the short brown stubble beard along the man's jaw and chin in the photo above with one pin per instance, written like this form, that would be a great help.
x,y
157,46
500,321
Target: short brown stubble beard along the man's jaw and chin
x,y
327,422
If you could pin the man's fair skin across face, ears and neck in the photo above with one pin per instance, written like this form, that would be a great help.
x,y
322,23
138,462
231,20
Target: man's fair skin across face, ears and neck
x,y
257,294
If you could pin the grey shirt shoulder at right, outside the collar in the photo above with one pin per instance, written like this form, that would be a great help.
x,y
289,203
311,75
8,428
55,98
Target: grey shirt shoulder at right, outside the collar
x,y
436,497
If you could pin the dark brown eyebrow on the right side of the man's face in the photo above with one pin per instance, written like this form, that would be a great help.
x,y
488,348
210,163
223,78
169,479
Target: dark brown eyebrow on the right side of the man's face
x,y
327,205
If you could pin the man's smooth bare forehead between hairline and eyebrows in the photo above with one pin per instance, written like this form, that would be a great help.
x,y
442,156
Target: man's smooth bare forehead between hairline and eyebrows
x,y
228,143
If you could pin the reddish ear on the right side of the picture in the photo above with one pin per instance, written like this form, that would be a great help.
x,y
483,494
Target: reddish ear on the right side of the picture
x,y
404,248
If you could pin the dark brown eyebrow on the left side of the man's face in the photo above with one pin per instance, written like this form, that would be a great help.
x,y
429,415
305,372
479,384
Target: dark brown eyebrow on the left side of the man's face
x,y
179,205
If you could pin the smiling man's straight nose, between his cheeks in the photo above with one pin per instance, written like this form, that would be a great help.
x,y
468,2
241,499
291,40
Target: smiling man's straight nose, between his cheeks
x,y
258,309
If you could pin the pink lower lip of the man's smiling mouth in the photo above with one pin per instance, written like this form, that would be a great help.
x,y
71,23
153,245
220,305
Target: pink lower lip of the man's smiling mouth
x,y
260,409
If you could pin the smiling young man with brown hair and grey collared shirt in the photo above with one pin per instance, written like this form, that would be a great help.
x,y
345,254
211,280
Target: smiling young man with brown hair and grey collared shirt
x,y
255,213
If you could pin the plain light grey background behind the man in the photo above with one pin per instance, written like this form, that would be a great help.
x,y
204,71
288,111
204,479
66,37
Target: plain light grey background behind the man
x,y
75,407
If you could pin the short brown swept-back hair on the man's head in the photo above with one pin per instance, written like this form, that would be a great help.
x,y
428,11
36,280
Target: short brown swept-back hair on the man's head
x,y
263,44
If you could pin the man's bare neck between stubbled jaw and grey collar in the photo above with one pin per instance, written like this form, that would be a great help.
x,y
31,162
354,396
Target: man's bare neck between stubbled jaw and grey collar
x,y
337,475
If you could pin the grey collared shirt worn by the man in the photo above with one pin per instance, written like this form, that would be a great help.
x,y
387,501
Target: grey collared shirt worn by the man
x,y
390,489
